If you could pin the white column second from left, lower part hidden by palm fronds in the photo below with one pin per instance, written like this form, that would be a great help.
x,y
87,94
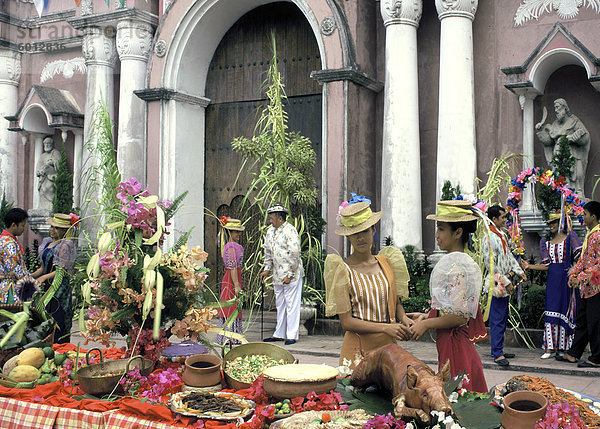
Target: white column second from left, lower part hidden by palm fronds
x,y
100,58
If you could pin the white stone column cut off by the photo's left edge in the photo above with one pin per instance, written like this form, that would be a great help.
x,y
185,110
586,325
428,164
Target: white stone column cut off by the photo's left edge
x,y
10,73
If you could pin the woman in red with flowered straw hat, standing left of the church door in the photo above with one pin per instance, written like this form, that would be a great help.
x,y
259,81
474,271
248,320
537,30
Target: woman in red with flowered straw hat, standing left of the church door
x,y
233,258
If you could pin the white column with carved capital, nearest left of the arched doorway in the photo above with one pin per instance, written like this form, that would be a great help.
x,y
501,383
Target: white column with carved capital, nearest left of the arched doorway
x,y
134,41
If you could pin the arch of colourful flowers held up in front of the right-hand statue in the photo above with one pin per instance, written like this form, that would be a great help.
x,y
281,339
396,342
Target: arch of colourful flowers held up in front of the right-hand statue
x,y
571,203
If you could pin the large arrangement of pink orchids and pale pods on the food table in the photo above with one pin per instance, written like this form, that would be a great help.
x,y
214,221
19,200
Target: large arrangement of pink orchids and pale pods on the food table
x,y
128,277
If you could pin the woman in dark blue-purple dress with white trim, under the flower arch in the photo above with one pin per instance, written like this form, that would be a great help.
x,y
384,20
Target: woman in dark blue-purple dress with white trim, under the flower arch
x,y
558,254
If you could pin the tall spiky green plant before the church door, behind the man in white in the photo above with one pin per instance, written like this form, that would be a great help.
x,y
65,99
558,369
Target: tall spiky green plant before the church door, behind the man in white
x,y
280,164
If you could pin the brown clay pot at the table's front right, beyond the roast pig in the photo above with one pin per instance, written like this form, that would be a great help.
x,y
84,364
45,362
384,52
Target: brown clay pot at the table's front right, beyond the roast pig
x,y
523,409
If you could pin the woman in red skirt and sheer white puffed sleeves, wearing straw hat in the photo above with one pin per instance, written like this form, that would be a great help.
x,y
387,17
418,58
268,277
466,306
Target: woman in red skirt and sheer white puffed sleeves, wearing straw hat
x,y
455,286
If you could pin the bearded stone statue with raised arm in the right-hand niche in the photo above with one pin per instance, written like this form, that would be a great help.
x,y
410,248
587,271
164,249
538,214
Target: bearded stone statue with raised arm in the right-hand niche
x,y
569,125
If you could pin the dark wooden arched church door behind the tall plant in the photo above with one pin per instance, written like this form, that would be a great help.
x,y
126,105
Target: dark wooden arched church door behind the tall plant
x,y
235,88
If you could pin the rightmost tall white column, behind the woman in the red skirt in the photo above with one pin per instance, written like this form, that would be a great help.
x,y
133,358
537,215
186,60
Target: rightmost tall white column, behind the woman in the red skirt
x,y
456,153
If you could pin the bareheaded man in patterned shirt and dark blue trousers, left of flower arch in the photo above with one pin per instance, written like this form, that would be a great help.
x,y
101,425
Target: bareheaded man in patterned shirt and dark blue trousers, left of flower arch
x,y
505,268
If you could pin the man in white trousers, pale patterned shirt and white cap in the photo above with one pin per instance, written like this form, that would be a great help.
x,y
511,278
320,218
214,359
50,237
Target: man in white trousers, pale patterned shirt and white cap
x,y
283,262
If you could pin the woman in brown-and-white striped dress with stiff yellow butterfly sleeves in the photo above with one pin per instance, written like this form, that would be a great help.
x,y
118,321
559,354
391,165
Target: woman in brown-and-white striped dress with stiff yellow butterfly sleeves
x,y
365,290
